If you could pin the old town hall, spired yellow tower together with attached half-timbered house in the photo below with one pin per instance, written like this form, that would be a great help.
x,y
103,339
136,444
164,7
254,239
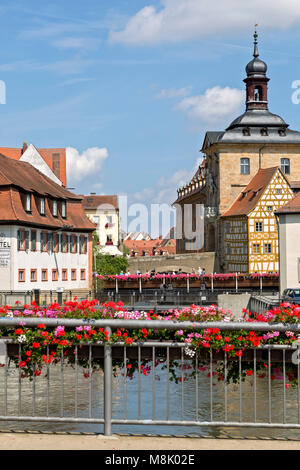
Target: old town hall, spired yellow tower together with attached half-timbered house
x,y
240,164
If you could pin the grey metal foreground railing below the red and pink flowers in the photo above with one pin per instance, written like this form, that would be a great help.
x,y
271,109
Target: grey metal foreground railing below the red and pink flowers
x,y
198,403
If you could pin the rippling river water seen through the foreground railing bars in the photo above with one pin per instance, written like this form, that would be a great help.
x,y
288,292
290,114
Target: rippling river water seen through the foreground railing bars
x,y
126,400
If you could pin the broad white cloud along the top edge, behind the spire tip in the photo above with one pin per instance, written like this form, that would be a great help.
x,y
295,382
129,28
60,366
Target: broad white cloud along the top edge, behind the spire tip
x,y
181,20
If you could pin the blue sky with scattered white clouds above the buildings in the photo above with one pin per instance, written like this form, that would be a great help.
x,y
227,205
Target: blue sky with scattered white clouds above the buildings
x,y
130,87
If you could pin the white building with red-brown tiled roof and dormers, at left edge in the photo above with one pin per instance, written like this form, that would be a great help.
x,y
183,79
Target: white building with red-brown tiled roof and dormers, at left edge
x,y
45,236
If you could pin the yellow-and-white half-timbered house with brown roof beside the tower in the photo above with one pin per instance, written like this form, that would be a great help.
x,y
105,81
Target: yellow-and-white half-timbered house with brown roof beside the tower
x,y
250,233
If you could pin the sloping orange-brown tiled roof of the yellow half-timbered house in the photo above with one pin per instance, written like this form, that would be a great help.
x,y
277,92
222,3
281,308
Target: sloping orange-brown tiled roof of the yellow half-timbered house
x,y
249,197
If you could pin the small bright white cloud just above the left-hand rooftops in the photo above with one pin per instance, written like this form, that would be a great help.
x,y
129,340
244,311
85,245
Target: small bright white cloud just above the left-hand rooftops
x,y
88,163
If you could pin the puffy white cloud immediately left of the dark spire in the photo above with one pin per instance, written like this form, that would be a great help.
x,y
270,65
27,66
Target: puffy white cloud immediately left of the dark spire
x,y
214,105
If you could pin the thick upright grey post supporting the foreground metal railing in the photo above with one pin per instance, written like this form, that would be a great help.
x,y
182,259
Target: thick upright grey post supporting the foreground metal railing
x,y
107,387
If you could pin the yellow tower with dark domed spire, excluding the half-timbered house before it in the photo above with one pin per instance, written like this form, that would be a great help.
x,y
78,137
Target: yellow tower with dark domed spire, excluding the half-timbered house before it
x,y
258,139
